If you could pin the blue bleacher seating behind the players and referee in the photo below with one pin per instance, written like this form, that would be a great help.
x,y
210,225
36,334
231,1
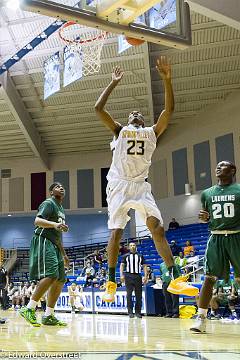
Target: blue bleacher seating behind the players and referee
x,y
196,233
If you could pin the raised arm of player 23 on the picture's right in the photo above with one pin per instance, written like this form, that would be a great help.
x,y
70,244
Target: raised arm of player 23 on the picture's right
x,y
164,70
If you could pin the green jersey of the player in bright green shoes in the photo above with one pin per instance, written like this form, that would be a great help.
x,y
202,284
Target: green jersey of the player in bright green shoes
x,y
51,210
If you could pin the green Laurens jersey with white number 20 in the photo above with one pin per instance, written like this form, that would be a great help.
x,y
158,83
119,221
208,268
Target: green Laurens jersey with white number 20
x,y
223,205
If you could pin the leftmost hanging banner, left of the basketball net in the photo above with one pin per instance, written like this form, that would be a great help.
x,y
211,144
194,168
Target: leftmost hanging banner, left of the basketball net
x,y
51,70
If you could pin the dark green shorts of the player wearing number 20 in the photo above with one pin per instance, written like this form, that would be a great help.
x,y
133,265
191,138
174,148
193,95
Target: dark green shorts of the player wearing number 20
x,y
221,251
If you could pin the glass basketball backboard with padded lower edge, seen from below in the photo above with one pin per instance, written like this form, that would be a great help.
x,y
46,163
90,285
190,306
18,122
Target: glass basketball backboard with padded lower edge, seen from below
x,y
165,22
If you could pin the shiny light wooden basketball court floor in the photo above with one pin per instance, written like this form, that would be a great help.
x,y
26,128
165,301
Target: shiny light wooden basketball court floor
x,y
117,337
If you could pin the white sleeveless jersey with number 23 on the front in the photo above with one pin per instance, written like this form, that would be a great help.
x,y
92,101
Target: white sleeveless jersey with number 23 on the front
x,y
132,153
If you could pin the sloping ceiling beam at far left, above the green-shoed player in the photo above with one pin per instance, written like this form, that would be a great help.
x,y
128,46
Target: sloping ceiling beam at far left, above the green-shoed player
x,y
22,117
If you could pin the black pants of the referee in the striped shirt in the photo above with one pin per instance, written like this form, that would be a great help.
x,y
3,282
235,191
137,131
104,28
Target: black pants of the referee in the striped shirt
x,y
134,282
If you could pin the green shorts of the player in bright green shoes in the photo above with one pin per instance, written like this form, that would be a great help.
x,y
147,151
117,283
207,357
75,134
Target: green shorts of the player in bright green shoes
x,y
45,260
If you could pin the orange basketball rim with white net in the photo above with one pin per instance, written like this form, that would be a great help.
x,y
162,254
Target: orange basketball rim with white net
x,y
86,41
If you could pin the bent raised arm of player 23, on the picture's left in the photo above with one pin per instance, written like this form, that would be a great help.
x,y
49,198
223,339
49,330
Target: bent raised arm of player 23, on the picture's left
x,y
102,114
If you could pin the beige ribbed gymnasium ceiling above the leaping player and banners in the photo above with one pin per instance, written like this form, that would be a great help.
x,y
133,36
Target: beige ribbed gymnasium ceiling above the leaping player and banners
x,y
66,123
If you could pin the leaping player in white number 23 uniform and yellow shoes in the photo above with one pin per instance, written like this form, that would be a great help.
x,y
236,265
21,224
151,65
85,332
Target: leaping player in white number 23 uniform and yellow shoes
x,y
133,146
